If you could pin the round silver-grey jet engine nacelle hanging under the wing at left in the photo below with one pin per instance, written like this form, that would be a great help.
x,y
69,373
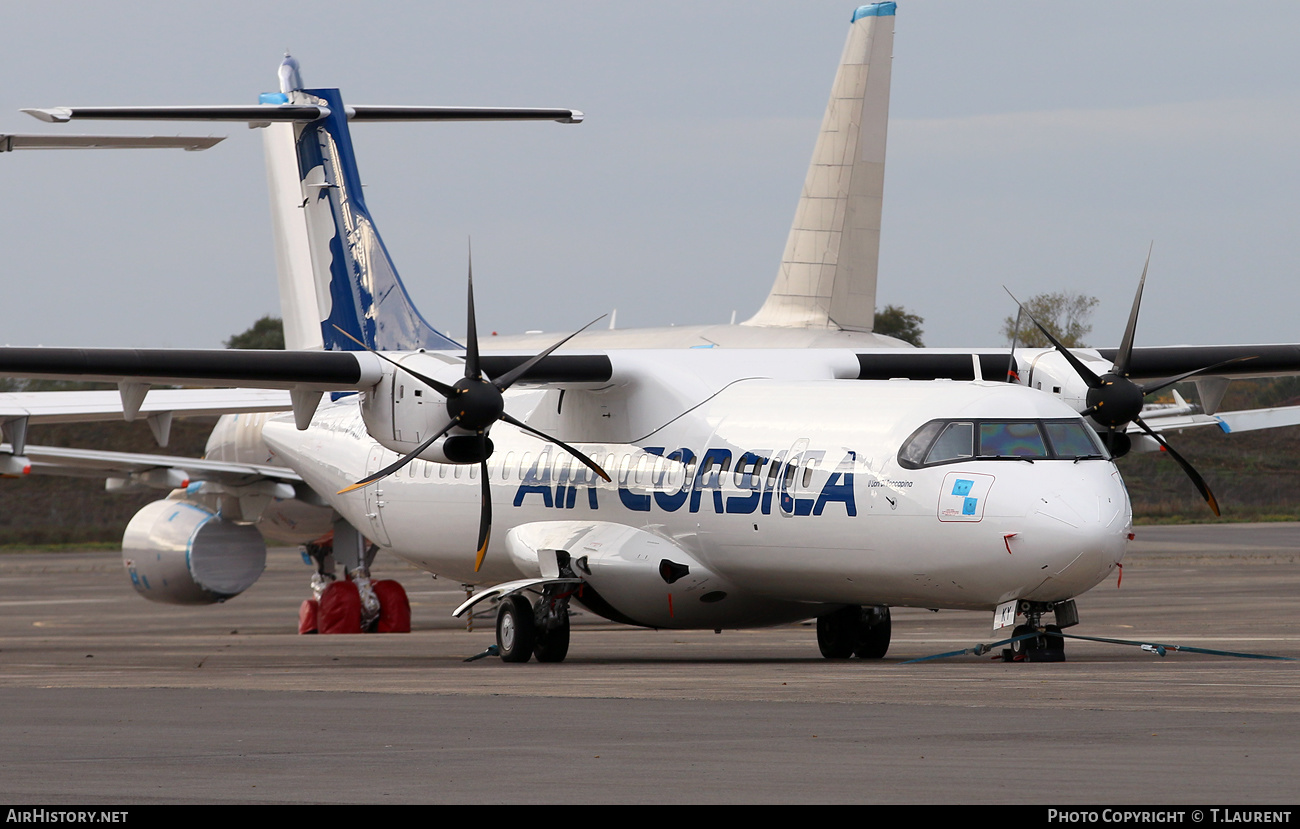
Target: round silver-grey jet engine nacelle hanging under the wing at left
x,y
179,553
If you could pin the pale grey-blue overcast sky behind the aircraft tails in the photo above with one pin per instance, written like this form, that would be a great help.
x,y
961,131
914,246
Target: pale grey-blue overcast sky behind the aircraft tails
x,y
1039,146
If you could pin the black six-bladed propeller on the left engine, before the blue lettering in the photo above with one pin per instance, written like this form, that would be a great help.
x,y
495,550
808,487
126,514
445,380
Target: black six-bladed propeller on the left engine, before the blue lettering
x,y
475,405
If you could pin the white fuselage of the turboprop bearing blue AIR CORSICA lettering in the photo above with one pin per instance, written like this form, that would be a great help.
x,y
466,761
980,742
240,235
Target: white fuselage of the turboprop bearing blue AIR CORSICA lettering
x,y
846,526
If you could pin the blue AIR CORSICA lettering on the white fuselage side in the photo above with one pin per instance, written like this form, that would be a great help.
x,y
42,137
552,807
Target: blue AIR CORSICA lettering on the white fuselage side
x,y
662,491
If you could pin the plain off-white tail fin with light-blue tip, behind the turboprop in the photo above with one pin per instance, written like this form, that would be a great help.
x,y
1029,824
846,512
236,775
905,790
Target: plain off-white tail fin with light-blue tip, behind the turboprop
x,y
829,272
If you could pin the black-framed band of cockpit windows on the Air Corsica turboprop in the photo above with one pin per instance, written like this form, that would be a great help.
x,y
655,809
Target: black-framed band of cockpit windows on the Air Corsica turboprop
x,y
946,442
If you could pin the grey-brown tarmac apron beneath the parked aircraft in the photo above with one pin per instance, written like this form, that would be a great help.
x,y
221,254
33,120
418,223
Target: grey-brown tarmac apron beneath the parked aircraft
x,y
110,700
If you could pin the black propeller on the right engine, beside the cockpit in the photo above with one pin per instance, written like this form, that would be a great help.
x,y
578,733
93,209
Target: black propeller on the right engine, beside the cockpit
x,y
1115,401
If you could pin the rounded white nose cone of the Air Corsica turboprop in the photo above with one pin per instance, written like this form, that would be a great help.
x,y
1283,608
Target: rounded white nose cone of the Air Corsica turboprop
x,y
1080,527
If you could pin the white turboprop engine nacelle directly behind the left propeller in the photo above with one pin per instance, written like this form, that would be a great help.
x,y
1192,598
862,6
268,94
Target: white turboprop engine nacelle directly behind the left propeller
x,y
401,413
